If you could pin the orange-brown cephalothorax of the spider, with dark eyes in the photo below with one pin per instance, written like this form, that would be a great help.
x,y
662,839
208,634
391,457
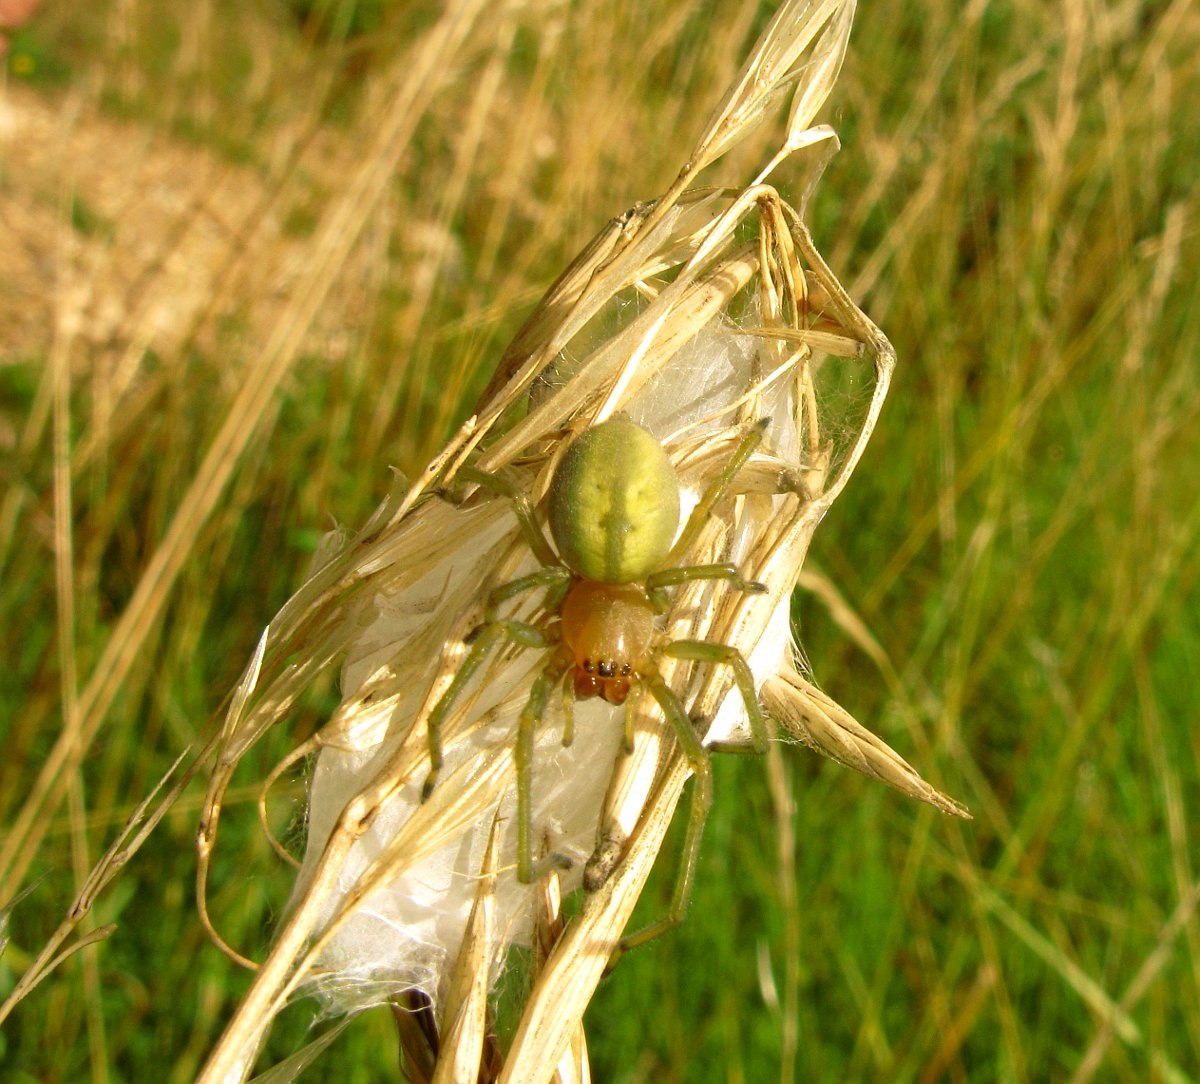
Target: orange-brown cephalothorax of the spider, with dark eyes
x,y
609,630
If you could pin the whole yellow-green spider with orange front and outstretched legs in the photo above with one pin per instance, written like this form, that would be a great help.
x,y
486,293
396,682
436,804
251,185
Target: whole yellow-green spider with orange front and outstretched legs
x,y
614,514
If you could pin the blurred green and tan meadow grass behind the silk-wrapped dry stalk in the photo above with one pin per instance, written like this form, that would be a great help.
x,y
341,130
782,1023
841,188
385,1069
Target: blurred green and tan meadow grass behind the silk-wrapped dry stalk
x,y
1015,205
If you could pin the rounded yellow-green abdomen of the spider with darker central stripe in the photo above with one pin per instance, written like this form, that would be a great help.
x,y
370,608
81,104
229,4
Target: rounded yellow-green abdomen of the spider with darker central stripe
x,y
615,504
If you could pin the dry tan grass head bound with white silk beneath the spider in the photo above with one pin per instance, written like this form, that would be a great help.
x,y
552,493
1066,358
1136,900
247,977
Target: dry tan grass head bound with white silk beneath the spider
x,y
409,589
